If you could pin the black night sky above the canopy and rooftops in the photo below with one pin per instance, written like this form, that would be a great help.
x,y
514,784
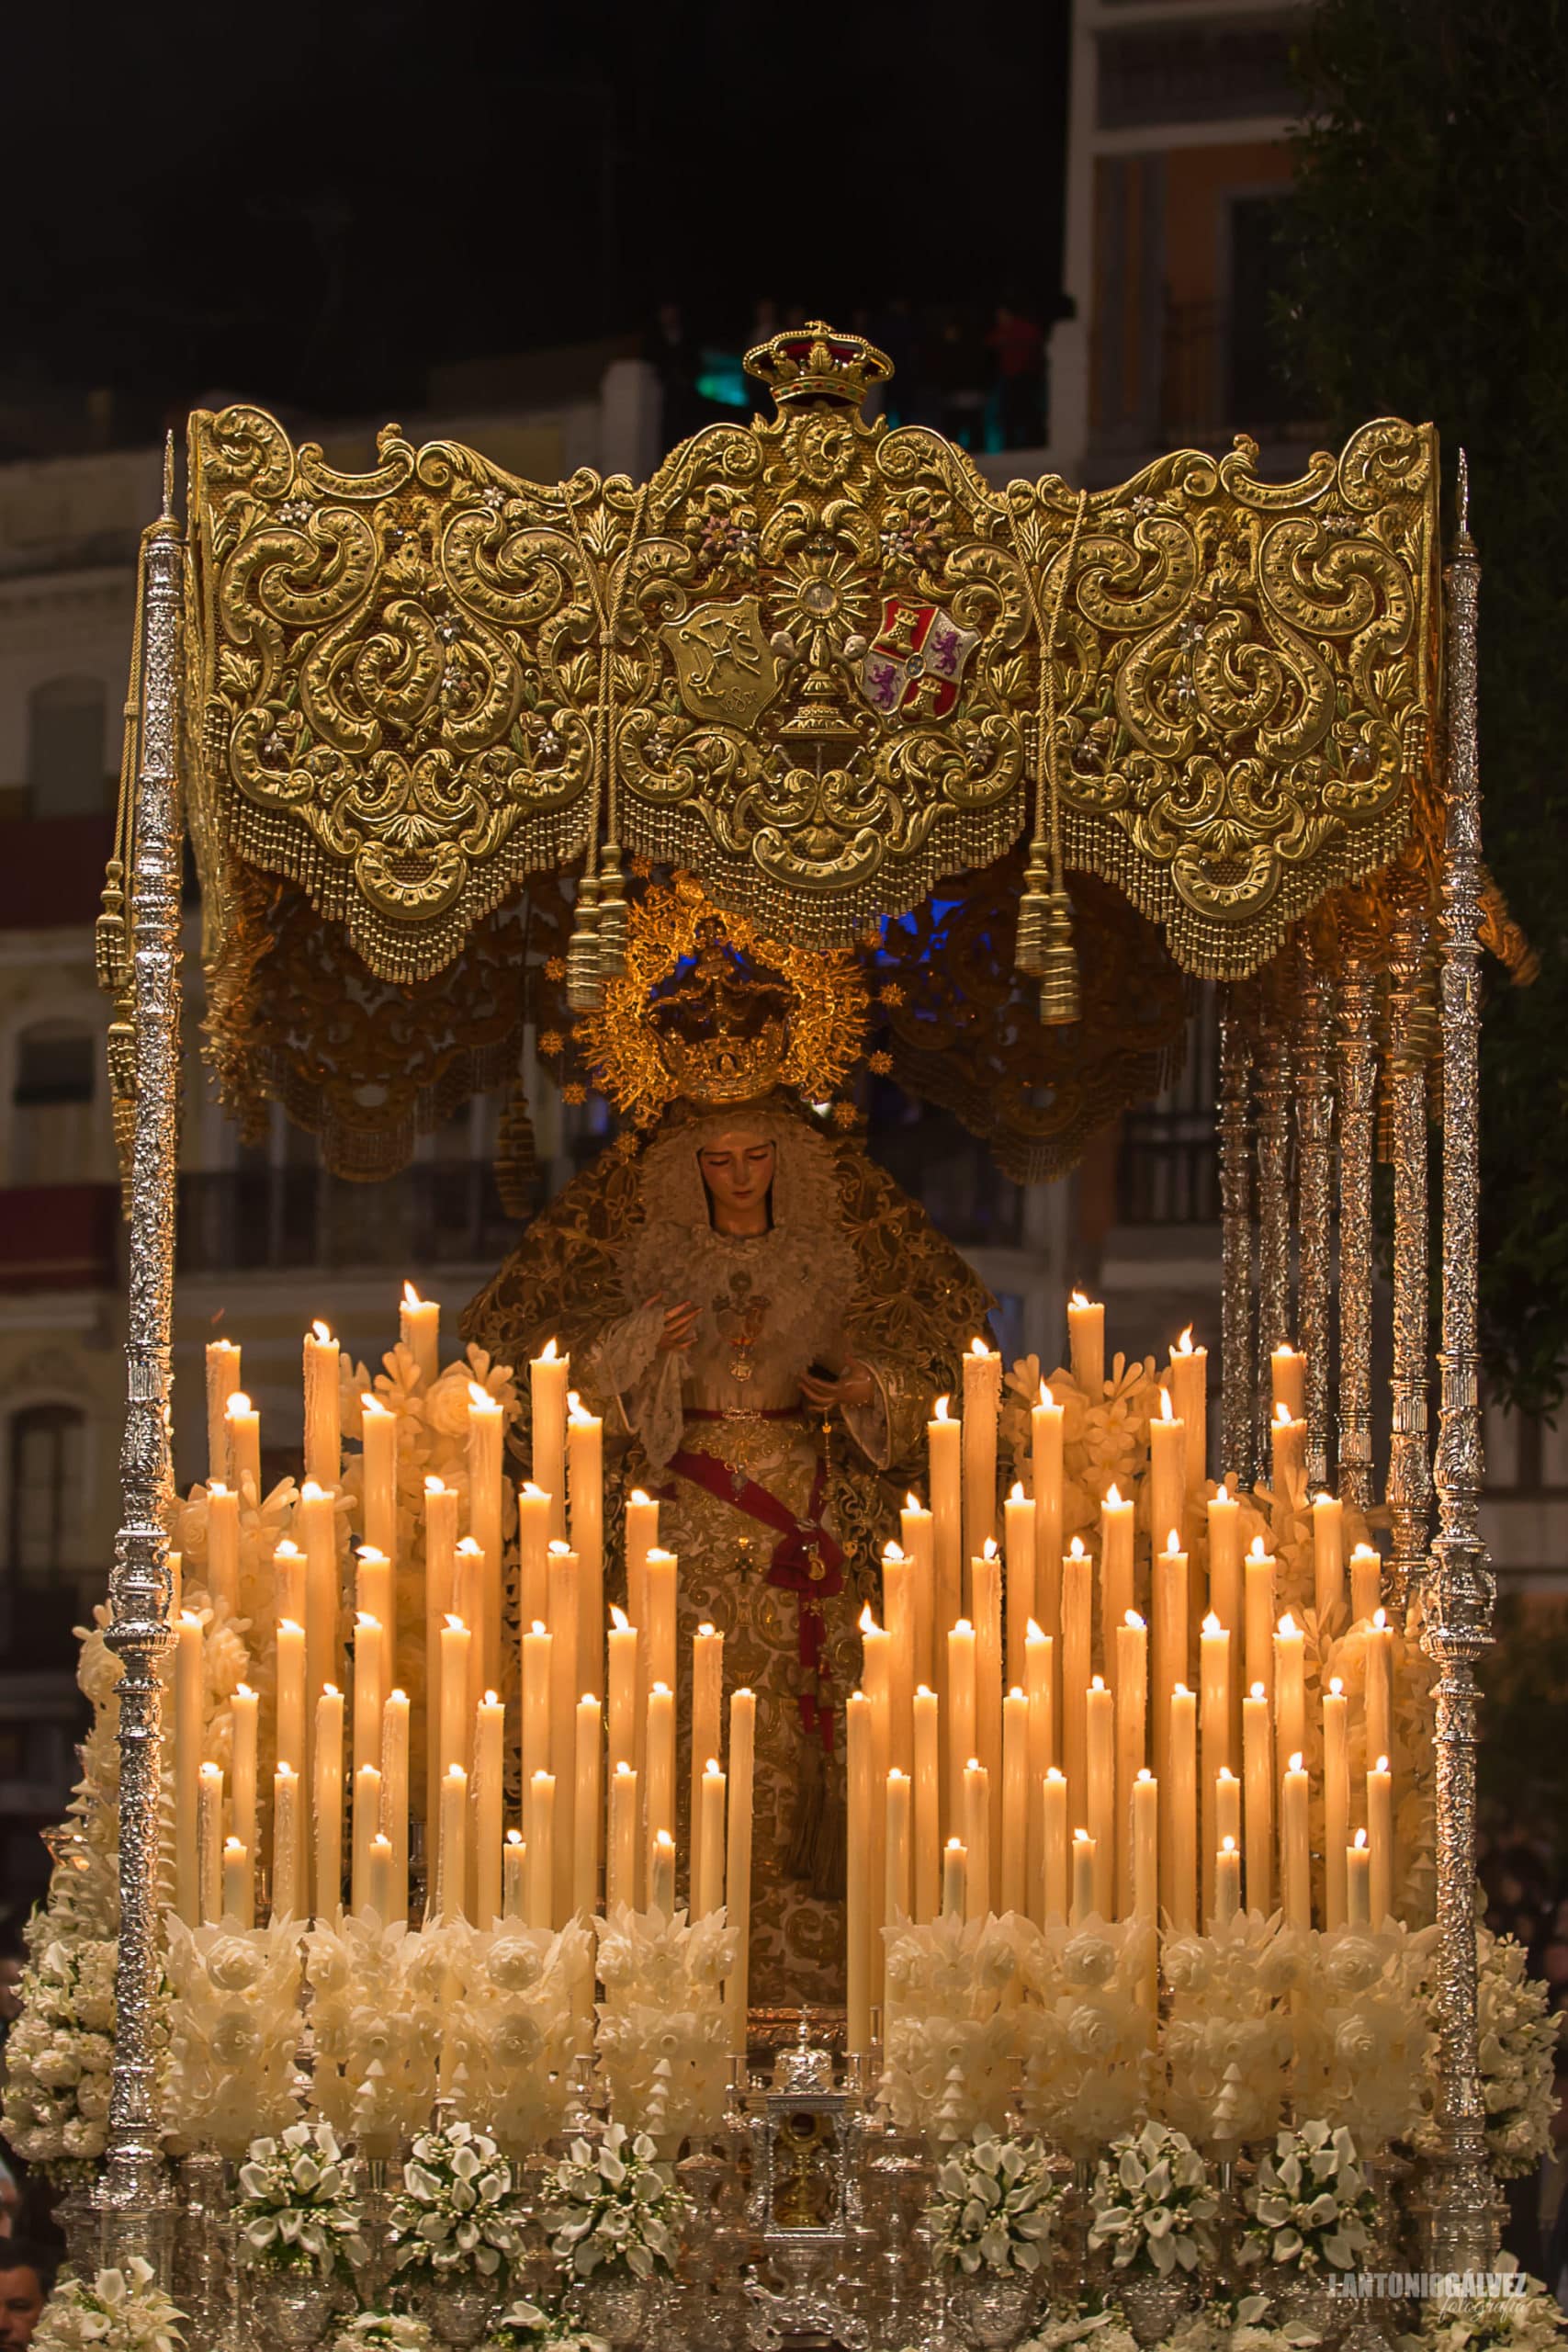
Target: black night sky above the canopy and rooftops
x,y
314,206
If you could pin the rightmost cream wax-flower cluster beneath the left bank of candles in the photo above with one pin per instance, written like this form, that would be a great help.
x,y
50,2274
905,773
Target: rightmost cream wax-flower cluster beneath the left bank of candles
x,y
664,2043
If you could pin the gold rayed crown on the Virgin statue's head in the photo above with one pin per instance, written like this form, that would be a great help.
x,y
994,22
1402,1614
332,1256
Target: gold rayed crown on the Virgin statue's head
x,y
713,1013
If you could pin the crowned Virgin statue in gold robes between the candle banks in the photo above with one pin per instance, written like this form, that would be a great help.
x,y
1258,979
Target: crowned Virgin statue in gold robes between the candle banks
x,y
763,1318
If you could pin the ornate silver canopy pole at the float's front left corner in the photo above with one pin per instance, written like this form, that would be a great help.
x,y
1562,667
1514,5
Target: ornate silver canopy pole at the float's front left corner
x,y
140,1586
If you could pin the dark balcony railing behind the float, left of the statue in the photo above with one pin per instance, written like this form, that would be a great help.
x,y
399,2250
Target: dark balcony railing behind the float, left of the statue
x,y
269,1220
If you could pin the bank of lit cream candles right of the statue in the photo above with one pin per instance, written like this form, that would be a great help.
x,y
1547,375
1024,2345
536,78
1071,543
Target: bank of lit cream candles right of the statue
x,y
991,1768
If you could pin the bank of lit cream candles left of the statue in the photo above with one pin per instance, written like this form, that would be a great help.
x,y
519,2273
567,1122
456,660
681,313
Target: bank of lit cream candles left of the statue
x,y
596,1704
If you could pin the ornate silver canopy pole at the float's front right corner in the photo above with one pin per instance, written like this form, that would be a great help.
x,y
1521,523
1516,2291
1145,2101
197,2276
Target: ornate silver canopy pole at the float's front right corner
x,y
1459,1617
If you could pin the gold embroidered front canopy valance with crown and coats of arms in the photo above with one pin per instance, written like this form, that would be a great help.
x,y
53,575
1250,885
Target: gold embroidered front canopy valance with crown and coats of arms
x,y
805,664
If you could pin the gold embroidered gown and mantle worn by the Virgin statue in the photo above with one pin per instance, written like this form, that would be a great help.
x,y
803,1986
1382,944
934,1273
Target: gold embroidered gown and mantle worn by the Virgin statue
x,y
779,1528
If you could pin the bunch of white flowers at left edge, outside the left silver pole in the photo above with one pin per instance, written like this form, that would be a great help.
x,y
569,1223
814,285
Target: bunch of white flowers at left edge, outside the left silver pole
x,y
60,2057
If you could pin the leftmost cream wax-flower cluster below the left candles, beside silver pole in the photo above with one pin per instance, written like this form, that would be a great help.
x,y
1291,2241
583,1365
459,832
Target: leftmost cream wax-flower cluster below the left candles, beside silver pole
x,y
234,2033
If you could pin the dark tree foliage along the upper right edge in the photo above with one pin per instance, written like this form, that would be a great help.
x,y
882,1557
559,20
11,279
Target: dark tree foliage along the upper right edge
x,y
1430,281
